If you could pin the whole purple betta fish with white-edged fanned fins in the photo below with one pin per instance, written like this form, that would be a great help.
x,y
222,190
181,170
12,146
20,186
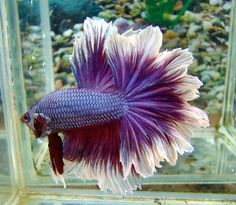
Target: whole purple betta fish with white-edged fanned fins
x,y
129,112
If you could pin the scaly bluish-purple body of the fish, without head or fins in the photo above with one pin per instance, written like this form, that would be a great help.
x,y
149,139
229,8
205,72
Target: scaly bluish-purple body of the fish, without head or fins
x,y
74,108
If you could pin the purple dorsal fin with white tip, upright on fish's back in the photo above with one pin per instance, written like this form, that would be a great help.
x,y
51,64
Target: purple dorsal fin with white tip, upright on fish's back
x,y
89,60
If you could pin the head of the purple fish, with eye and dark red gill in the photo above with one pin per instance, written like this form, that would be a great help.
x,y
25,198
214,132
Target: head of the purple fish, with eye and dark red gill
x,y
36,121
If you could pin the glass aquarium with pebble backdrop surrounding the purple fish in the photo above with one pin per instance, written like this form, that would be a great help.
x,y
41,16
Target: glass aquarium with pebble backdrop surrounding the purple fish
x,y
35,46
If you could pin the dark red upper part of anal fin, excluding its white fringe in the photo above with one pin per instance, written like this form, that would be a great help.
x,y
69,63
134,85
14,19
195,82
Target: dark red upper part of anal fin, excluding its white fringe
x,y
94,144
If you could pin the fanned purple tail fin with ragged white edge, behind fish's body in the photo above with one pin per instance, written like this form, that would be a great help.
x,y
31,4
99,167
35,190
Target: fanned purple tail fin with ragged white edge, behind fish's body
x,y
158,122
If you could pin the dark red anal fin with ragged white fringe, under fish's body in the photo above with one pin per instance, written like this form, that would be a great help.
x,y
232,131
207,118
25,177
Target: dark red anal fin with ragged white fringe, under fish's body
x,y
93,153
